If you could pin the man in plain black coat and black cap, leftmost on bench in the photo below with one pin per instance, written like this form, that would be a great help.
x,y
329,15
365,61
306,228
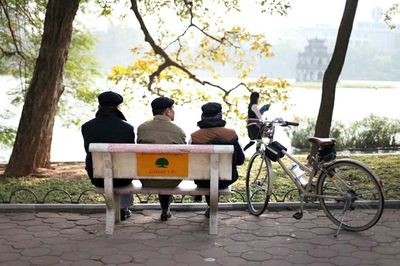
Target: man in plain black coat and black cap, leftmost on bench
x,y
109,126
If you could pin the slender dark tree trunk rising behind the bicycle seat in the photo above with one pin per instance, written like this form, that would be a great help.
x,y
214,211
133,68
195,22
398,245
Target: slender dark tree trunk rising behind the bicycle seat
x,y
332,73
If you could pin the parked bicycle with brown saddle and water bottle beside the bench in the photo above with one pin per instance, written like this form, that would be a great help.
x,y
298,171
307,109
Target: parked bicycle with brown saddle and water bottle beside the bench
x,y
349,193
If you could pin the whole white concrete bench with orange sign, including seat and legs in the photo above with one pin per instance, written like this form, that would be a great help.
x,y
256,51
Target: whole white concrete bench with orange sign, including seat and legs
x,y
162,162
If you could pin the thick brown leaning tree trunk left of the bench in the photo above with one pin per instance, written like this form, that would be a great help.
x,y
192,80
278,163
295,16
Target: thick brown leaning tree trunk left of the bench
x,y
33,141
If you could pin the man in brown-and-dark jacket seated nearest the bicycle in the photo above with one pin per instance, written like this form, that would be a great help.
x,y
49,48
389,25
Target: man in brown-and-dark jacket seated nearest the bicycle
x,y
212,131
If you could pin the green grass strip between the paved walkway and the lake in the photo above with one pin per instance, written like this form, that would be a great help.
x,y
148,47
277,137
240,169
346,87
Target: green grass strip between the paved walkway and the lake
x,y
72,190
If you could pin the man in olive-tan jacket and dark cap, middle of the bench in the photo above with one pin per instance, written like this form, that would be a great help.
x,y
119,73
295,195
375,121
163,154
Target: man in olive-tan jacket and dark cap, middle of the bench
x,y
161,130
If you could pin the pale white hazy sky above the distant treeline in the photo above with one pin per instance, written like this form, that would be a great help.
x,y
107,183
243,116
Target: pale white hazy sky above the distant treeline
x,y
302,13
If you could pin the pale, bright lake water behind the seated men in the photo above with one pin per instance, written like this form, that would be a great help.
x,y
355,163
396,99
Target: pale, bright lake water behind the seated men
x,y
350,104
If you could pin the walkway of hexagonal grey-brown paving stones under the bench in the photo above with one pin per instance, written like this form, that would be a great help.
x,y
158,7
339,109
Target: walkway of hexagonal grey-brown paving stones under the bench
x,y
271,239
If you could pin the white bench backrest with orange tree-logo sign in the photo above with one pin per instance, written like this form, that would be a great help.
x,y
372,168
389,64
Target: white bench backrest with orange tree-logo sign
x,y
161,161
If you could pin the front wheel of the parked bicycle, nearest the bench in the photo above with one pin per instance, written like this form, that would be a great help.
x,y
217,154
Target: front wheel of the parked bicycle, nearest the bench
x,y
258,183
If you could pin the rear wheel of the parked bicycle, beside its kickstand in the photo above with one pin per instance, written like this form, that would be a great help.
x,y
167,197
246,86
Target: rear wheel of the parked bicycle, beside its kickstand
x,y
351,195
